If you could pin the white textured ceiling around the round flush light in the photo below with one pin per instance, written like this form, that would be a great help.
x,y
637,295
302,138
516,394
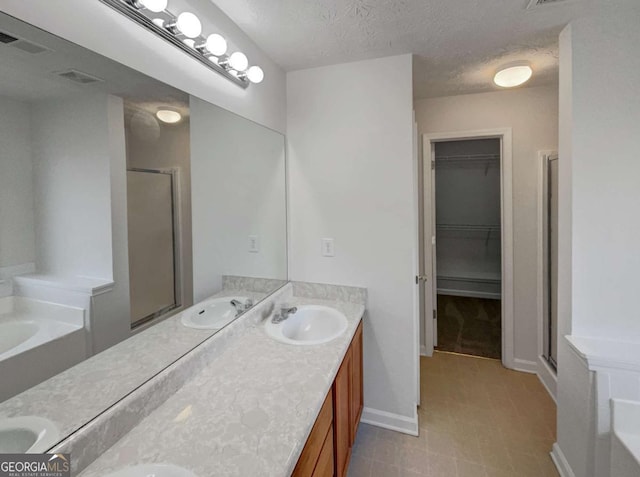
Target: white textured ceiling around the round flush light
x,y
458,43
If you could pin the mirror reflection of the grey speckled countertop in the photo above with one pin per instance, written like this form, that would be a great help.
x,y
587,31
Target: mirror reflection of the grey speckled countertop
x,y
77,395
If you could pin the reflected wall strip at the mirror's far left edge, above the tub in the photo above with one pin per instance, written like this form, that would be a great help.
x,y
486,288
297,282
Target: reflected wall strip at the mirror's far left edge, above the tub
x,y
17,232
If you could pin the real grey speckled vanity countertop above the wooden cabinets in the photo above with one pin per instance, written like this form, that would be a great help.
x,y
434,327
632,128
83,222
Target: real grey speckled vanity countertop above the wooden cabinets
x,y
247,413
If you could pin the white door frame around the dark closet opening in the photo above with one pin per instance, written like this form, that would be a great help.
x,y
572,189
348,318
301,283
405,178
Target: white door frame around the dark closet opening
x,y
506,212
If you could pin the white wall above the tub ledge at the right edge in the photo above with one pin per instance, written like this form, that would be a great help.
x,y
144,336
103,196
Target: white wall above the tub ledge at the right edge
x,y
605,176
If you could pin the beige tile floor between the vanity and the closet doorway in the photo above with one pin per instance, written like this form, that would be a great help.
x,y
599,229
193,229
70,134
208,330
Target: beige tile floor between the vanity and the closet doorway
x,y
477,419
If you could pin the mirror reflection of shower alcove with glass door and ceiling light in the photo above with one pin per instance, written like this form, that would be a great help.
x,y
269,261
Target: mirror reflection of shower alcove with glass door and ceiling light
x,y
158,208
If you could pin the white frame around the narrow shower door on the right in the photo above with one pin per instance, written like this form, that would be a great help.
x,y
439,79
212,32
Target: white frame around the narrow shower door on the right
x,y
546,373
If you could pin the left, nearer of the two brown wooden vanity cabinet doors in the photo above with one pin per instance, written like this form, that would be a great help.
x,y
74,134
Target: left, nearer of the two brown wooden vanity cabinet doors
x,y
342,416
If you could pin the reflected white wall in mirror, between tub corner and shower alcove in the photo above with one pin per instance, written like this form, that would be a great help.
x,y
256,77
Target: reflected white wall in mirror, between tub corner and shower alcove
x,y
72,188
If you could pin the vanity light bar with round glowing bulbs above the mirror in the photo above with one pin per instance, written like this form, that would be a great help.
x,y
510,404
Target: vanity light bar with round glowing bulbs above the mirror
x,y
184,31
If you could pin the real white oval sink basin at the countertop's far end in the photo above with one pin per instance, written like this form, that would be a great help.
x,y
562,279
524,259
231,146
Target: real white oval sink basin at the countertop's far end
x,y
310,325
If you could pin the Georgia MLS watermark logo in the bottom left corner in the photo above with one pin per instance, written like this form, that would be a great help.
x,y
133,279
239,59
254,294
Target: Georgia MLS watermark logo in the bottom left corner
x,y
35,465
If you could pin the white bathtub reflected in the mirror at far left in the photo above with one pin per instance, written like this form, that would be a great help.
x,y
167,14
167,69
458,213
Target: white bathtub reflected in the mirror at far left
x,y
37,340
